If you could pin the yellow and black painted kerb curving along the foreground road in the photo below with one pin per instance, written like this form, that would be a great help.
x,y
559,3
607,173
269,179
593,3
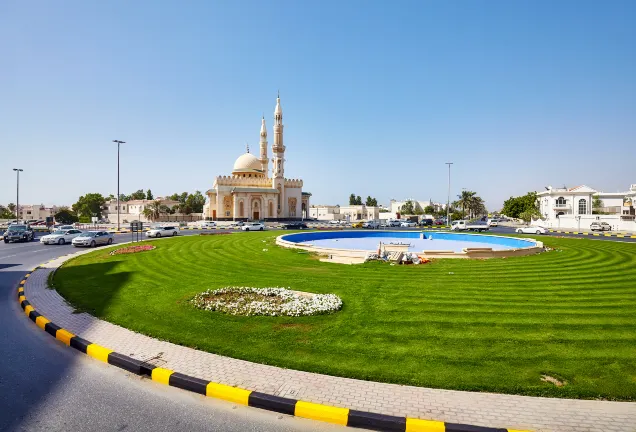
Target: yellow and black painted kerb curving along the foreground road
x,y
309,410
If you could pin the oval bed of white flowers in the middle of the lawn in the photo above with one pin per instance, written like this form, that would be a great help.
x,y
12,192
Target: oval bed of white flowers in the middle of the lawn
x,y
266,301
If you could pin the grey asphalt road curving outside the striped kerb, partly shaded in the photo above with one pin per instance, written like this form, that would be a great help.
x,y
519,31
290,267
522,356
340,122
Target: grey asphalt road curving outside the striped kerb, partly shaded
x,y
45,386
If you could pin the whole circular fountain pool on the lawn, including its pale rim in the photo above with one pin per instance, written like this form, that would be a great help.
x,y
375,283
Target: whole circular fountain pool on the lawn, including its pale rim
x,y
432,244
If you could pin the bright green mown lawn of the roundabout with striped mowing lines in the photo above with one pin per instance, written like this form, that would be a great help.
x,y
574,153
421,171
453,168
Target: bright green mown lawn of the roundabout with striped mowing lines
x,y
494,325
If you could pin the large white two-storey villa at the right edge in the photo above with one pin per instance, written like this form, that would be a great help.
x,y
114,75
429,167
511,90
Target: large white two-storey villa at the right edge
x,y
573,208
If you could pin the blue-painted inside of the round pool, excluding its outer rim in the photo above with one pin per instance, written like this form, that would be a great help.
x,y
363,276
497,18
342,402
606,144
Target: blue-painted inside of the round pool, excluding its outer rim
x,y
369,240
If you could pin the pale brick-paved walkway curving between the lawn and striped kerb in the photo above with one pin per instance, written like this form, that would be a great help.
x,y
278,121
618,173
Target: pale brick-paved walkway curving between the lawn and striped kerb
x,y
487,409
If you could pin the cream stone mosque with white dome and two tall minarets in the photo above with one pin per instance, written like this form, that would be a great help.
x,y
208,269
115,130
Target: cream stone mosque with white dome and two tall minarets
x,y
250,193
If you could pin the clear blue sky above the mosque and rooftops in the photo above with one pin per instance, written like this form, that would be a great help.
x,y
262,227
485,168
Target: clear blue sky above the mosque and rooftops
x,y
376,95
